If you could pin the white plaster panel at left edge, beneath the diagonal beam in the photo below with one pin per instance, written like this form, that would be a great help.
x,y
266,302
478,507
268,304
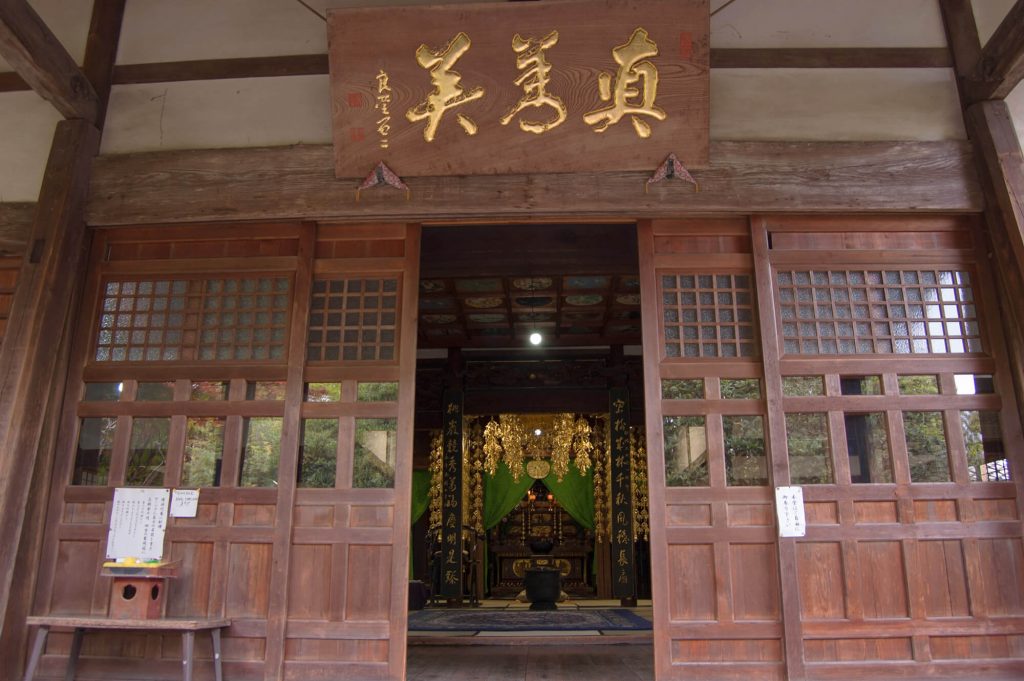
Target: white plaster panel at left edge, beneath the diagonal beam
x,y
23,155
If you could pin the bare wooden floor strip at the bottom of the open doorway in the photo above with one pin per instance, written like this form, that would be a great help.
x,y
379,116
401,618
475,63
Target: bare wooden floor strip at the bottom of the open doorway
x,y
532,663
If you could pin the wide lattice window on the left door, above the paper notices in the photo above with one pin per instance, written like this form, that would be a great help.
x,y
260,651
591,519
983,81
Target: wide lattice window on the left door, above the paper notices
x,y
241,319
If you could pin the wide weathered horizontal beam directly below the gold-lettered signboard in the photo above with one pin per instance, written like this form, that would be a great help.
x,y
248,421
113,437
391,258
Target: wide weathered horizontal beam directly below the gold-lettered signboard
x,y
290,183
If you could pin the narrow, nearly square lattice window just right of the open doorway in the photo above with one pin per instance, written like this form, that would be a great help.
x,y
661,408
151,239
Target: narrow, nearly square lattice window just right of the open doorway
x,y
709,316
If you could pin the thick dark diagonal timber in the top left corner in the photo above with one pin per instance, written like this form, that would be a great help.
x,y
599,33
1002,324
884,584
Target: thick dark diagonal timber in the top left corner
x,y
38,57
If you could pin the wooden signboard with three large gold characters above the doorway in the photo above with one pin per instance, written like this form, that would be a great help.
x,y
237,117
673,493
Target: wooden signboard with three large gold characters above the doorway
x,y
559,87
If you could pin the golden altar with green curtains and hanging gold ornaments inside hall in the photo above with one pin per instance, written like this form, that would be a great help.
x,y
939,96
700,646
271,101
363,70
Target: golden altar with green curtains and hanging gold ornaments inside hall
x,y
537,492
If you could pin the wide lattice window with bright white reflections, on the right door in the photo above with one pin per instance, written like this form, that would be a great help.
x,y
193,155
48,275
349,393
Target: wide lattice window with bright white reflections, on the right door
x,y
907,312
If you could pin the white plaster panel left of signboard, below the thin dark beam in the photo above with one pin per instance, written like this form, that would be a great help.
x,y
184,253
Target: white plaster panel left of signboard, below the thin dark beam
x,y
252,112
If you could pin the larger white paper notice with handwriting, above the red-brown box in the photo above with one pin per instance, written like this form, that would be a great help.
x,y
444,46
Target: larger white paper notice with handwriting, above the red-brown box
x,y
138,524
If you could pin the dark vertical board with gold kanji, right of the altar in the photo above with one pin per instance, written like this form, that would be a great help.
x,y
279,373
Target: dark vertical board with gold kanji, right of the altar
x,y
623,568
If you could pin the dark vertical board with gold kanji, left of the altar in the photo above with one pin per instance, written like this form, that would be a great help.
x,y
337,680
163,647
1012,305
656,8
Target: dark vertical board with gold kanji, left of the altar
x,y
452,497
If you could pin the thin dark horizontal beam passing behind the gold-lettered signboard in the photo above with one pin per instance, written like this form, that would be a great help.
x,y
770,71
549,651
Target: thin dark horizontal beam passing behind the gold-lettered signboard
x,y
317,65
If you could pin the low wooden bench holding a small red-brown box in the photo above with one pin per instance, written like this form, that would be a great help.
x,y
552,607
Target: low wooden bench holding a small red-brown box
x,y
81,624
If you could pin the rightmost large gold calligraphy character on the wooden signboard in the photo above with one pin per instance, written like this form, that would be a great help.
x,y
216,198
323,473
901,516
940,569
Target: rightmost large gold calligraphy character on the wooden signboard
x,y
634,69
